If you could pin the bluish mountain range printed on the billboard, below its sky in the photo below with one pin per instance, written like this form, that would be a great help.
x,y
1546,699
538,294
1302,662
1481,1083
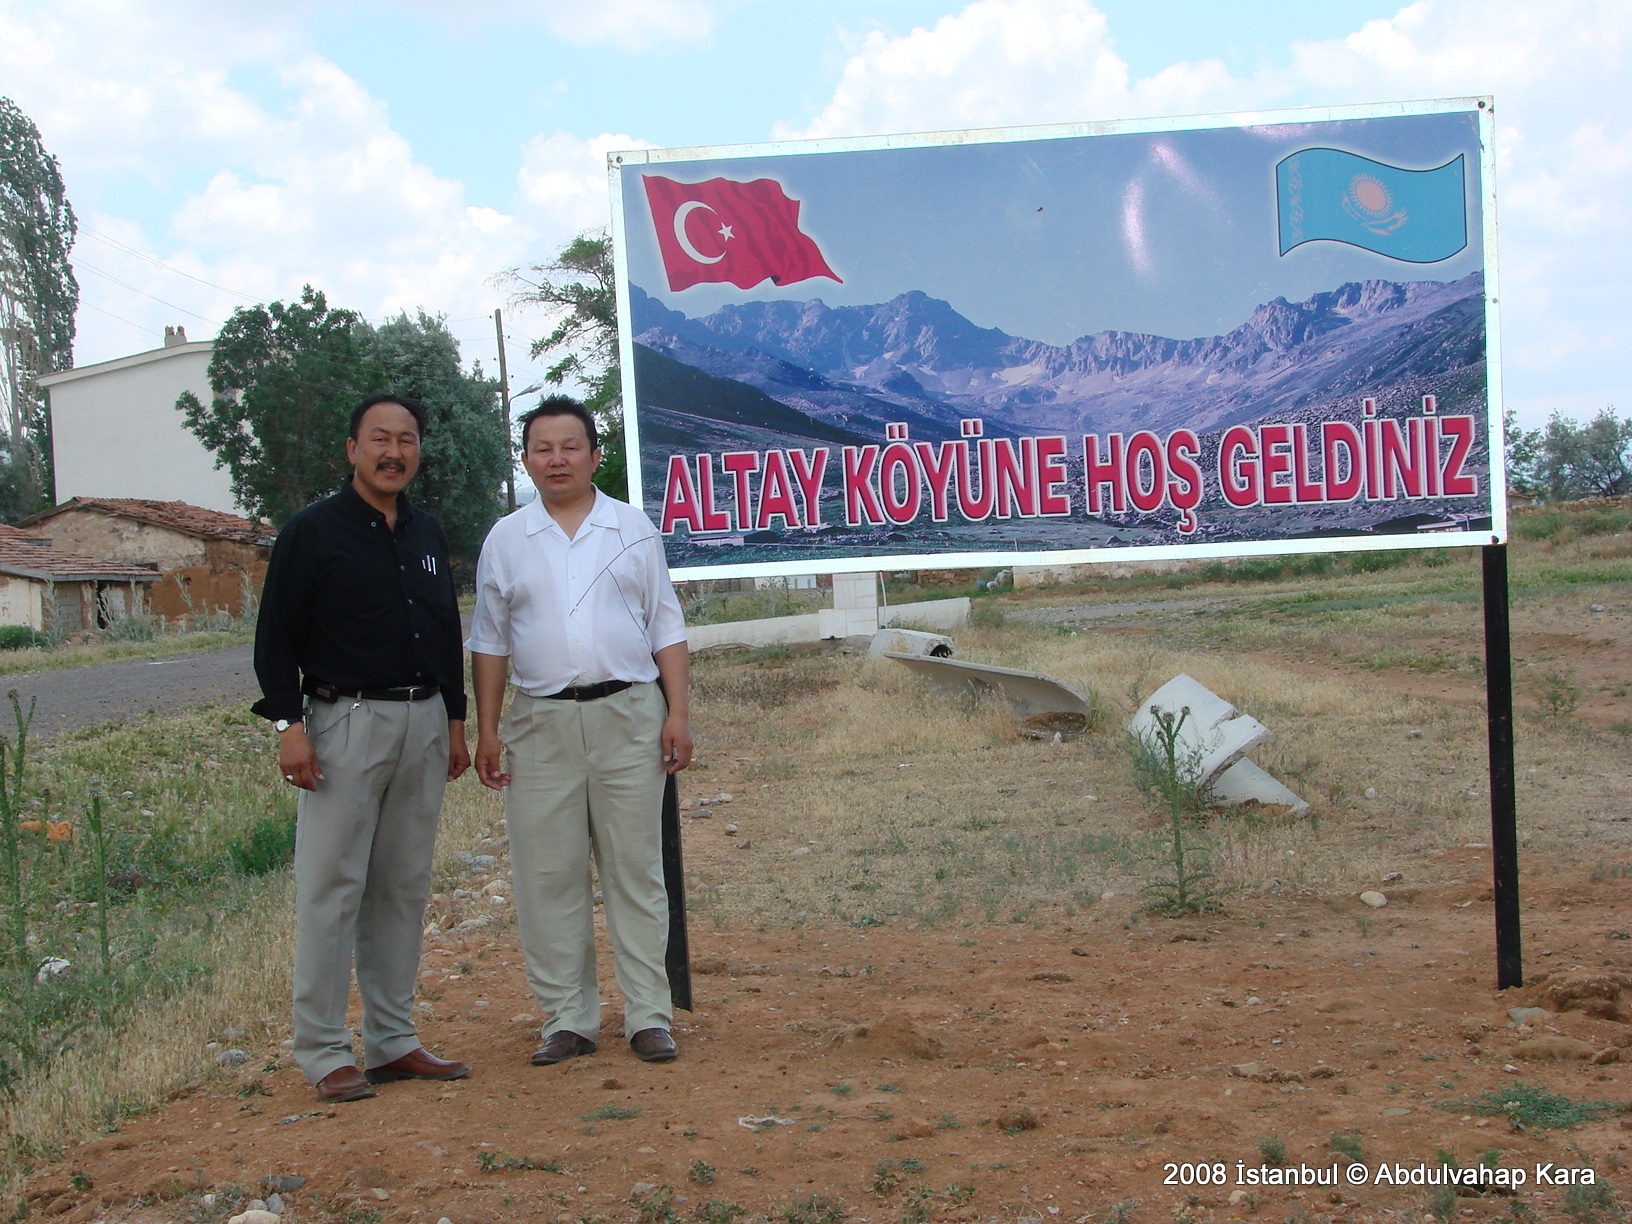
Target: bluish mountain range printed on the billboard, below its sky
x,y
771,375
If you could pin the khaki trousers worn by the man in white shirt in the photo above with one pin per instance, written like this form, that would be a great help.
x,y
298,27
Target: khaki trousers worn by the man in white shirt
x,y
587,778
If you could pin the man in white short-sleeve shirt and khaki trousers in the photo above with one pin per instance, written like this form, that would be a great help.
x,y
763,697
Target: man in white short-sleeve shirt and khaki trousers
x,y
574,598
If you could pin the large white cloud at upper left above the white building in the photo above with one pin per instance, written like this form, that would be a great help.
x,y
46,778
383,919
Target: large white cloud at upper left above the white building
x,y
299,180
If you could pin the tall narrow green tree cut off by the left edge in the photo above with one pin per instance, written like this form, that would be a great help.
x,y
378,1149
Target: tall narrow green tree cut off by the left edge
x,y
38,296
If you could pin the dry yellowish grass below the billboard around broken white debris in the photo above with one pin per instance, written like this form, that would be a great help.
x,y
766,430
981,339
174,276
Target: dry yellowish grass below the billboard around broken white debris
x,y
887,802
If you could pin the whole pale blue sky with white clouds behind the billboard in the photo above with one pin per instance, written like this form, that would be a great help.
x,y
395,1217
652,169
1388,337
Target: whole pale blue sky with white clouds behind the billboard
x,y
401,154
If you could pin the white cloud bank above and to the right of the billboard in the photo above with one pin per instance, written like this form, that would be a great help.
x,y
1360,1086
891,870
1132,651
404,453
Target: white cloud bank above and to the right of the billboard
x,y
1564,164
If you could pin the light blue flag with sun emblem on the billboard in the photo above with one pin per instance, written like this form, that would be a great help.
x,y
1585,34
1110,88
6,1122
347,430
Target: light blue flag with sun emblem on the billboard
x,y
1419,216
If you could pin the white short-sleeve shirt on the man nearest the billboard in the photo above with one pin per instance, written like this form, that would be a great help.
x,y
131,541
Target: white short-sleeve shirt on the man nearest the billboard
x,y
575,611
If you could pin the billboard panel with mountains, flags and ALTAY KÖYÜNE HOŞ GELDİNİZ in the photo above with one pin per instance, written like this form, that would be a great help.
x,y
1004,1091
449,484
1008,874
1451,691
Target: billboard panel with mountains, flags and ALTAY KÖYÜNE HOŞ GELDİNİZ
x,y
1217,337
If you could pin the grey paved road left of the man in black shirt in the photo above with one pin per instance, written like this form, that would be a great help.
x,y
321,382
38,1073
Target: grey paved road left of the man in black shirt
x,y
112,693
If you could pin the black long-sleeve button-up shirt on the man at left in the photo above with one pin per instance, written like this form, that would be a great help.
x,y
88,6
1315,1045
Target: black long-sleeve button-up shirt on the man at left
x,y
352,603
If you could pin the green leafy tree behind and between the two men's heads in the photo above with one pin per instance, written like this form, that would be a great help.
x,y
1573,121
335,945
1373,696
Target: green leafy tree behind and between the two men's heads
x,y
466,448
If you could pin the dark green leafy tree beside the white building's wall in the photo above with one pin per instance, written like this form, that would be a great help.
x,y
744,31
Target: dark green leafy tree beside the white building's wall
x,y
285,378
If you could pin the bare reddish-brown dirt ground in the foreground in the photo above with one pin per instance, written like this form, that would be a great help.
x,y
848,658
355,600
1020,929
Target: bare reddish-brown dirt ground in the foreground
x,y
1114,1067
